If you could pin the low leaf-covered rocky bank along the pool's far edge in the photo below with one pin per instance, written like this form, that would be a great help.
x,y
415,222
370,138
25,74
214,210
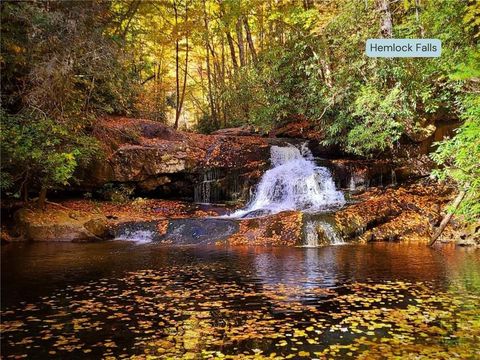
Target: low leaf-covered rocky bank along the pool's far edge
x,y
408,213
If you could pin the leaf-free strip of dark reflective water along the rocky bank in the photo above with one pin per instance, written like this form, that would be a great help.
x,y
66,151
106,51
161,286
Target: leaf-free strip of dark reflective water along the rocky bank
x,y
30,270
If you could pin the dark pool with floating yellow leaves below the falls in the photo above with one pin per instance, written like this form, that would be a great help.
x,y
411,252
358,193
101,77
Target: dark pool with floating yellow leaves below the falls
x,y
120,299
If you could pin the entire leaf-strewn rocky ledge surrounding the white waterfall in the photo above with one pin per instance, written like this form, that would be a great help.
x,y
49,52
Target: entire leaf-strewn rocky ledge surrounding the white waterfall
x,y
147,161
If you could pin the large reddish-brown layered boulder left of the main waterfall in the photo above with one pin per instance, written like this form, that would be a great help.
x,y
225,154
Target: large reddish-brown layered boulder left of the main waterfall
x,y
152,157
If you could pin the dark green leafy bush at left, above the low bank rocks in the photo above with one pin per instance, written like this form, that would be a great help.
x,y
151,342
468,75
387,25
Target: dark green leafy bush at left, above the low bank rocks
x,y
40,152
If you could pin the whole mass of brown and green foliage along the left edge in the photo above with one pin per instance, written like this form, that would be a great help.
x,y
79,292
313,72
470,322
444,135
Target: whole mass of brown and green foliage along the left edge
x,y
60,70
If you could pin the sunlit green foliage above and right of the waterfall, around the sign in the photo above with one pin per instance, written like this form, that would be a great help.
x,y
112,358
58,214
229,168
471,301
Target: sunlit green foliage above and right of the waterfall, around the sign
x,y
365,105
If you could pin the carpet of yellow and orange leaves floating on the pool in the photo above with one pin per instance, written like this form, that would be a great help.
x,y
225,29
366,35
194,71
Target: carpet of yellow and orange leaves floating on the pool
x,y
216,310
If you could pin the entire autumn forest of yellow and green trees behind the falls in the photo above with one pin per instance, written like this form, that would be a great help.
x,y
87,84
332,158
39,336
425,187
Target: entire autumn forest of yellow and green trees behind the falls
x,y
203,65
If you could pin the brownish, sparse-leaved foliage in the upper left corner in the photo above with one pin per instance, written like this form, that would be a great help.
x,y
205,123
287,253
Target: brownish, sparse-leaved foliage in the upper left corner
x,y
73,67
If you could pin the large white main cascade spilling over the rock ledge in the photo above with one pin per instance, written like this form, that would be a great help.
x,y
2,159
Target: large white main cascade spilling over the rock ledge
x,y
294,182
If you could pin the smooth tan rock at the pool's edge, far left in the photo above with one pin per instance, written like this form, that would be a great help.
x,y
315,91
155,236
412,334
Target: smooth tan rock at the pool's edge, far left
x,y
60,225
